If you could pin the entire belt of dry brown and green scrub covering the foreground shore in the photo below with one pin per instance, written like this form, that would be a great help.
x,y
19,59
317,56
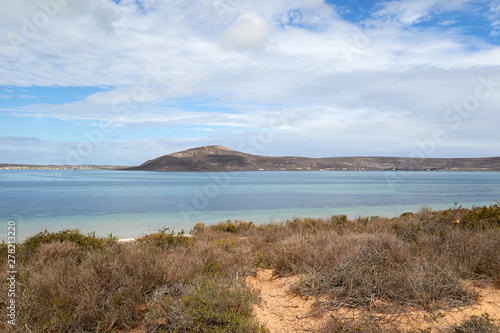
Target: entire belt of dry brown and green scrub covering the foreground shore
x,y
168,282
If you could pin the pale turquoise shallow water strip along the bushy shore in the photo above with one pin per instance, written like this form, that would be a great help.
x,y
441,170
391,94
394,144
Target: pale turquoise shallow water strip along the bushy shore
x,y
133,226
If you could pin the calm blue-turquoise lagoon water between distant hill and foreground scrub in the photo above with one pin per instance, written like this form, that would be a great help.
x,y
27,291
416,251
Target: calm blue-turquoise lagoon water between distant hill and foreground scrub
x,y
129,204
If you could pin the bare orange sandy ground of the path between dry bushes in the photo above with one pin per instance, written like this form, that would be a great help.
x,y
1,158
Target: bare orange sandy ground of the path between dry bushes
x,y
282,312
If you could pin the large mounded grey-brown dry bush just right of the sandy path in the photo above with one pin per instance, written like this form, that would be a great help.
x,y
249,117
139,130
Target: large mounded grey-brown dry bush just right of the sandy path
x,y
381,268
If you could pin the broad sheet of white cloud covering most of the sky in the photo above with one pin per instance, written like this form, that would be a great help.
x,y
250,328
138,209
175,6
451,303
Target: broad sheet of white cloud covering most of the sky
x,y
240,62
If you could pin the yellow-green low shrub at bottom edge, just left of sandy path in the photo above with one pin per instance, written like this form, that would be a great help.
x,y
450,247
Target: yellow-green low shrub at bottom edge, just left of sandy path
x,y
207,304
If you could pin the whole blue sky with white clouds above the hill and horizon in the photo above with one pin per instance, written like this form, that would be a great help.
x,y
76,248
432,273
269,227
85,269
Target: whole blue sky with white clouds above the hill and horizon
x,y
120,82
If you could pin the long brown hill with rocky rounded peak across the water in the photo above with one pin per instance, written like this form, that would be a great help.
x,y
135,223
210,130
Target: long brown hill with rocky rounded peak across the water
x,y
218,158
